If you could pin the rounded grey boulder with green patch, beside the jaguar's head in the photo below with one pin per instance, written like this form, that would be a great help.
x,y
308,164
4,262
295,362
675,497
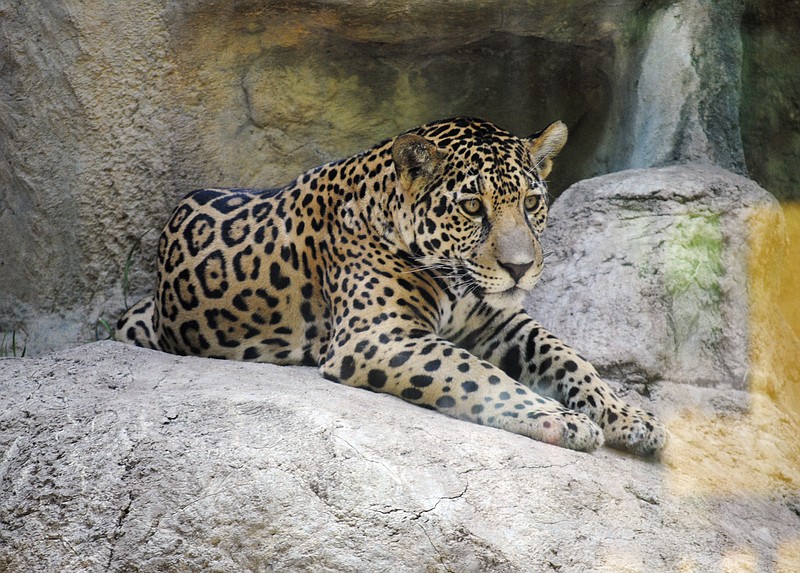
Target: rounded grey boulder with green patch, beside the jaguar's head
x,y
670,274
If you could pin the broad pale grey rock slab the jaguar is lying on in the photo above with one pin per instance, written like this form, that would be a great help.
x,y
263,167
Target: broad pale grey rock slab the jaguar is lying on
x,y
114,458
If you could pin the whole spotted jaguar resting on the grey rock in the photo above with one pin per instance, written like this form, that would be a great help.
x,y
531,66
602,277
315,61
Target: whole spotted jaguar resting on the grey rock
x,y
401,270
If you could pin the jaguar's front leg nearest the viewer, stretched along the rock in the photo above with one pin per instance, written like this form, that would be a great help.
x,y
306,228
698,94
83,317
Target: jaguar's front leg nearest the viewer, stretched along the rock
x,y
432,372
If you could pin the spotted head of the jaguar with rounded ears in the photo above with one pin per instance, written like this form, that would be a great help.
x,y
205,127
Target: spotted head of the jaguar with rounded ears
x,y
474,202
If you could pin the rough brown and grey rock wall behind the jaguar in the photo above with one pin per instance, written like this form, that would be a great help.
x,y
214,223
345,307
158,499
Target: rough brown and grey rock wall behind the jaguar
x,y
110,112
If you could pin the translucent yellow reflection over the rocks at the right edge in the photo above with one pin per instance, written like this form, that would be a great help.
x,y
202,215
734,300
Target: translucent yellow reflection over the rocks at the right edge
x,y
754,453
